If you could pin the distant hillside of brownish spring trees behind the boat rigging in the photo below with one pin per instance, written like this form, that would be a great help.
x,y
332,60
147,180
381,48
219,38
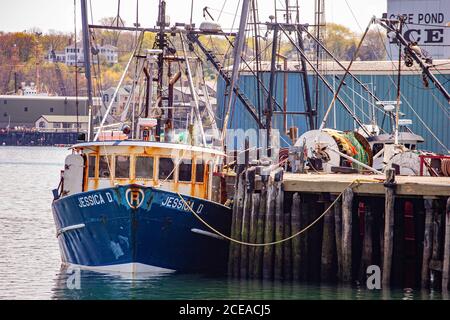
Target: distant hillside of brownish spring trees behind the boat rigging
x,y
23,56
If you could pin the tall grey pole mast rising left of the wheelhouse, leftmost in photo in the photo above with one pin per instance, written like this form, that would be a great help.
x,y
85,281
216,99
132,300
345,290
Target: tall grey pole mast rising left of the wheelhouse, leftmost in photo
x,y
87,64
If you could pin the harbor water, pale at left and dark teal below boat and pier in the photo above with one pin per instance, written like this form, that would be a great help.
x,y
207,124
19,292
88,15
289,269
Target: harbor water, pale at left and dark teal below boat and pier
x,y
30,264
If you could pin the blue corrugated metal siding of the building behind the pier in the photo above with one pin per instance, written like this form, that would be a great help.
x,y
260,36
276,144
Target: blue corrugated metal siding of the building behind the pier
x,y
433,110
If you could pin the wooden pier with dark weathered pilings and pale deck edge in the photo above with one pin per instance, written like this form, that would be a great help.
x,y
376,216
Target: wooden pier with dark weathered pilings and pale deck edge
x,y
330,227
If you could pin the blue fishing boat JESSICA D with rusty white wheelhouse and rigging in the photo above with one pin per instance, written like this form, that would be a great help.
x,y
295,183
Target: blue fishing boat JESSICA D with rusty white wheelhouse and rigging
x,y
138,199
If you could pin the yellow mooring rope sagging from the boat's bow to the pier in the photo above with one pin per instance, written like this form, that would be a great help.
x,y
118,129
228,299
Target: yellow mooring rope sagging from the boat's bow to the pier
x,y
351,185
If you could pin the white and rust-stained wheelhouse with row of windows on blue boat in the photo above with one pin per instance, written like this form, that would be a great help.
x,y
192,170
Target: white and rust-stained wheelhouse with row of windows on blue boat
x,y
172,167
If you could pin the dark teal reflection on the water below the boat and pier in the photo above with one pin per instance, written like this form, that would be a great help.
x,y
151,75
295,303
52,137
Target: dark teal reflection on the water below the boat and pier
x,y
180,286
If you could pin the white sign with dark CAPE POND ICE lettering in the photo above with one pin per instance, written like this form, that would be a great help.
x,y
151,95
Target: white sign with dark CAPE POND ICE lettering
x,y
427,22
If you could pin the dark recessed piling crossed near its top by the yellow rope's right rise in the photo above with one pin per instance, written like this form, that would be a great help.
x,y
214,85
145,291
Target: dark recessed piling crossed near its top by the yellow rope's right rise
x,y
328,243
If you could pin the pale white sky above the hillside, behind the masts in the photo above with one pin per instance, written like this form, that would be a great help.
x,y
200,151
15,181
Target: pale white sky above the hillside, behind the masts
x,y
20,15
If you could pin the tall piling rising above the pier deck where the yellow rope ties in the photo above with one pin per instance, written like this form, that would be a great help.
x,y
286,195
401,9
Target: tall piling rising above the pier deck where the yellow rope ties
x,y
388,226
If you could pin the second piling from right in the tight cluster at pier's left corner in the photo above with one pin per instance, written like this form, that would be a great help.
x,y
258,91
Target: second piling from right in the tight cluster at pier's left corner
x,y
269,231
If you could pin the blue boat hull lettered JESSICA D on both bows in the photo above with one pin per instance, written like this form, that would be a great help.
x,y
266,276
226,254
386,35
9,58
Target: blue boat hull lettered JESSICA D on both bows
x,y
139,229
